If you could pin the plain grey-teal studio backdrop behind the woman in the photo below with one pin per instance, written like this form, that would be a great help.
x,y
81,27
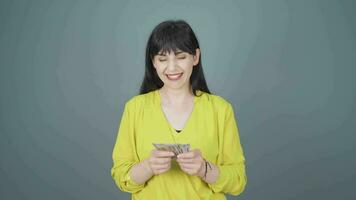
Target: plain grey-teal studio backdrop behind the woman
x,y
67,68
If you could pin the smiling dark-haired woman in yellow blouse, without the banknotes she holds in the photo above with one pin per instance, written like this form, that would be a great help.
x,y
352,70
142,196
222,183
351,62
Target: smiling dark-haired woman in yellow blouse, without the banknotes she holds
x,y
175,106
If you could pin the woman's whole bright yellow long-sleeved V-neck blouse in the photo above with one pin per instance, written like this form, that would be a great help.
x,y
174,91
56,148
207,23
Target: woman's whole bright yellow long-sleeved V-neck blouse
x,y
211,127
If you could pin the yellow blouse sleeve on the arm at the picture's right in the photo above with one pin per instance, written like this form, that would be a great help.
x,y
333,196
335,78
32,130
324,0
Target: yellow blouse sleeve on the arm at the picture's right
x,y
231,161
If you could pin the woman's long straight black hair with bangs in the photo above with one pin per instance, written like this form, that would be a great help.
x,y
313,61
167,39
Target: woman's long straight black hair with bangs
x,y
172,35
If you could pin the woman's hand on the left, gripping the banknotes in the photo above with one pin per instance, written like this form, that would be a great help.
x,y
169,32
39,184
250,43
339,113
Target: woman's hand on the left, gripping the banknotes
x,y
159,161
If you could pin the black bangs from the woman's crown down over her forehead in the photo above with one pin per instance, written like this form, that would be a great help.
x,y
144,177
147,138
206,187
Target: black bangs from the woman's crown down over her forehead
x,y
171,39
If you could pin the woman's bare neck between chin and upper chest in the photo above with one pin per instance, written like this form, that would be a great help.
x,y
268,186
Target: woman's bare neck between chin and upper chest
x,y
176,96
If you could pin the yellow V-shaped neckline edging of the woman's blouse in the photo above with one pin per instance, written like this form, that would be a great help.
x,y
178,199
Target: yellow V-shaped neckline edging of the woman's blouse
x,y
172,129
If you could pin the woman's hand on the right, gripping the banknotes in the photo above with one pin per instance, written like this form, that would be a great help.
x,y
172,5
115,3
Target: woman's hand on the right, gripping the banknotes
x,y
192,163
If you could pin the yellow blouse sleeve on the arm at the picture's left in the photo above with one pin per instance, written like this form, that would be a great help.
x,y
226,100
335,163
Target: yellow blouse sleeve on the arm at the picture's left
x,y
124,153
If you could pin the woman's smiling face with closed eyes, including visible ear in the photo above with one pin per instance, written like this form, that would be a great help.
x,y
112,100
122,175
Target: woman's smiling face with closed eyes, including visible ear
x,y
175,68
